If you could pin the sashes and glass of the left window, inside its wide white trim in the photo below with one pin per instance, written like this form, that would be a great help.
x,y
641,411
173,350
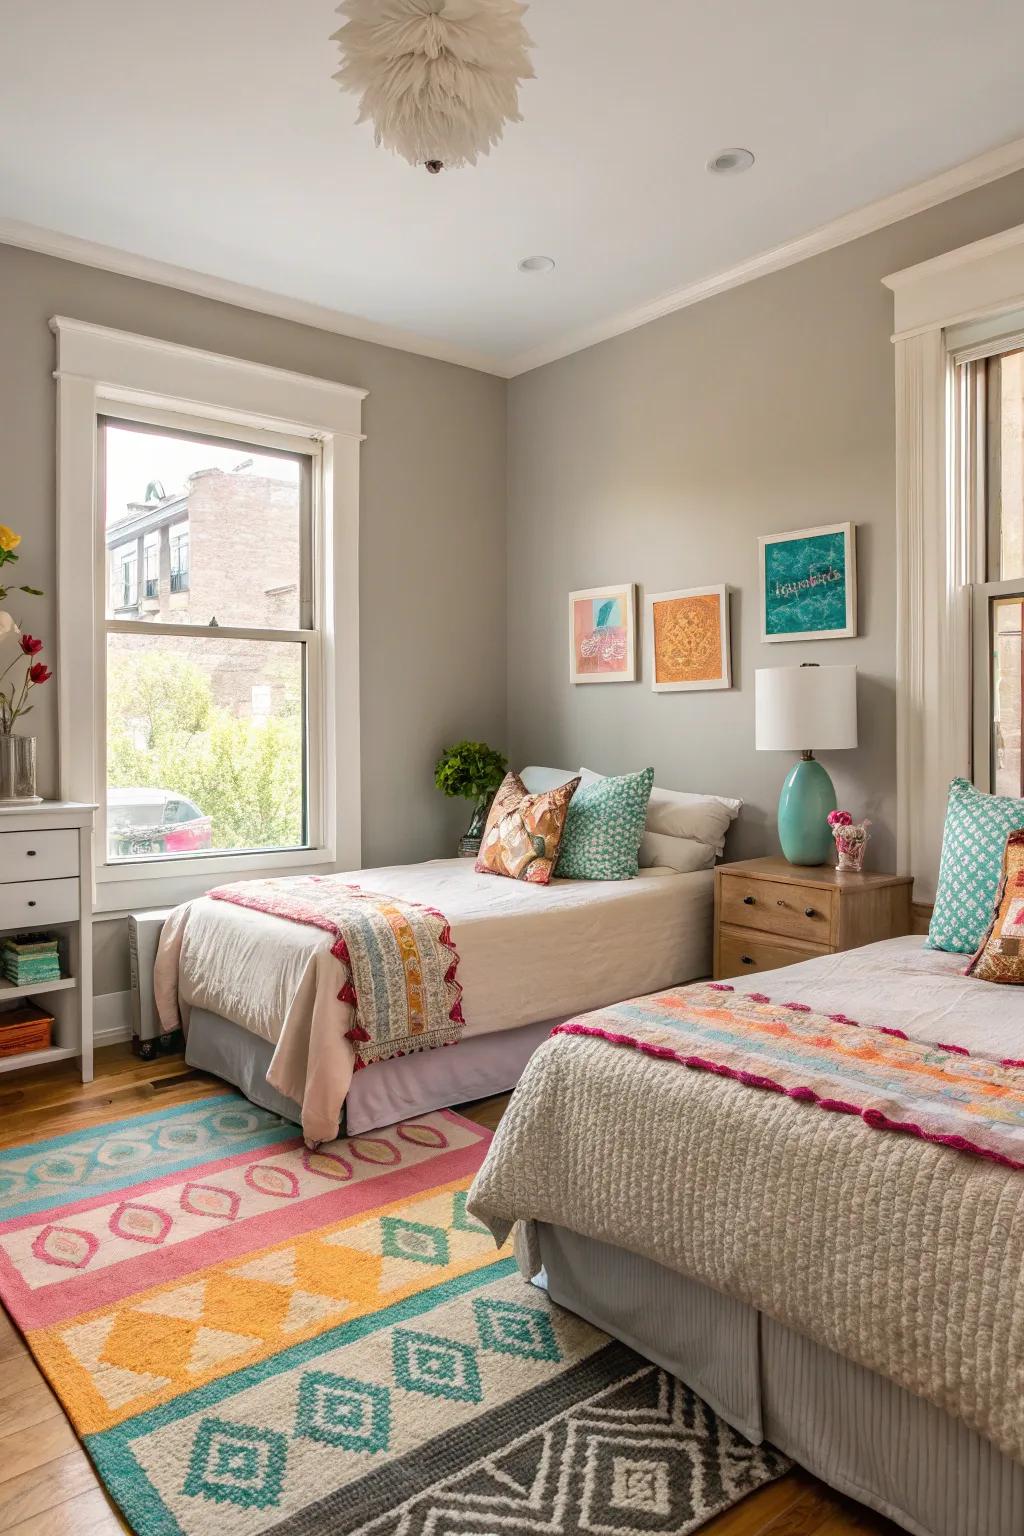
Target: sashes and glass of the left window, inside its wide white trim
x,y
183,674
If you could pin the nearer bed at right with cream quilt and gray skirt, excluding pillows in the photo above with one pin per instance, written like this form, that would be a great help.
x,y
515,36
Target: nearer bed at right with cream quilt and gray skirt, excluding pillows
x,y
824,1268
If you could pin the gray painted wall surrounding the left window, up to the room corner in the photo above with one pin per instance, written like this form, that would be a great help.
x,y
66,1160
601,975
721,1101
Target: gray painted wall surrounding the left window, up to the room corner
x,y
432,545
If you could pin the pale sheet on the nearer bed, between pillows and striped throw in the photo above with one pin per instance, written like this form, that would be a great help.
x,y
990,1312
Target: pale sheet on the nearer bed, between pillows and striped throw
x,y
903,985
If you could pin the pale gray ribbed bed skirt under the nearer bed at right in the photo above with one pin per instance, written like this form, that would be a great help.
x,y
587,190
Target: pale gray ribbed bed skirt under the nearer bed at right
x,y
848,1426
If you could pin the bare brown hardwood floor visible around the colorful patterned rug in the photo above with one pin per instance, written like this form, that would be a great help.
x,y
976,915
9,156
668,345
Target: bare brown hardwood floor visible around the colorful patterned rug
x,y
47,1481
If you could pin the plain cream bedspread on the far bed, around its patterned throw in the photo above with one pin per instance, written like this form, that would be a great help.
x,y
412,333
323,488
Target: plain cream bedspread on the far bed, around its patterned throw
x,y
527,953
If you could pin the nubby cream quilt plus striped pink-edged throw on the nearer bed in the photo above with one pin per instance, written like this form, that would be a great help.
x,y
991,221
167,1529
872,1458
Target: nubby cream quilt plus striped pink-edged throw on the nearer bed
x,y
890,1230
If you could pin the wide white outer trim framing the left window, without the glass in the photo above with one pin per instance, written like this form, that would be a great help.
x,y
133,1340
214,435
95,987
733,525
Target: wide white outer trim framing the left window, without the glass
x,y
97,369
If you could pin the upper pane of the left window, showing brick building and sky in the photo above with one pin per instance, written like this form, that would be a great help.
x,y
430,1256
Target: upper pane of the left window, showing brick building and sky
x,y
217,531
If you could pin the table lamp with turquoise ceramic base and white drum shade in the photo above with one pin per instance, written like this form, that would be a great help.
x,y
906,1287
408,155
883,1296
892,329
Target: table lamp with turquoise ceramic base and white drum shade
x,y
794,709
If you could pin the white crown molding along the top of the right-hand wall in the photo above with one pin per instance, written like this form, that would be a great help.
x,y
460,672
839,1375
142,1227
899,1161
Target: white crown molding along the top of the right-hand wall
x,y
977,173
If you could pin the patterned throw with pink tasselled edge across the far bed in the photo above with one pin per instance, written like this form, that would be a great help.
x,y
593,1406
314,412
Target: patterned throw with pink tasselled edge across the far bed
x,y
401,961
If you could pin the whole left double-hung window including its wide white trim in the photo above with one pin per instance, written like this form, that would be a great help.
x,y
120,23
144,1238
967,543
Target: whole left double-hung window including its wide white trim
x,y
210,588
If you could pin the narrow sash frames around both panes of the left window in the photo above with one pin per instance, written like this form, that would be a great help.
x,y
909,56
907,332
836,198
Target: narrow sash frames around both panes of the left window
x,y
308,637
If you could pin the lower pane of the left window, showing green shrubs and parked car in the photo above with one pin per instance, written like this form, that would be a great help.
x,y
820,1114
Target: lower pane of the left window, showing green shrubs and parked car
x,y
205,746
